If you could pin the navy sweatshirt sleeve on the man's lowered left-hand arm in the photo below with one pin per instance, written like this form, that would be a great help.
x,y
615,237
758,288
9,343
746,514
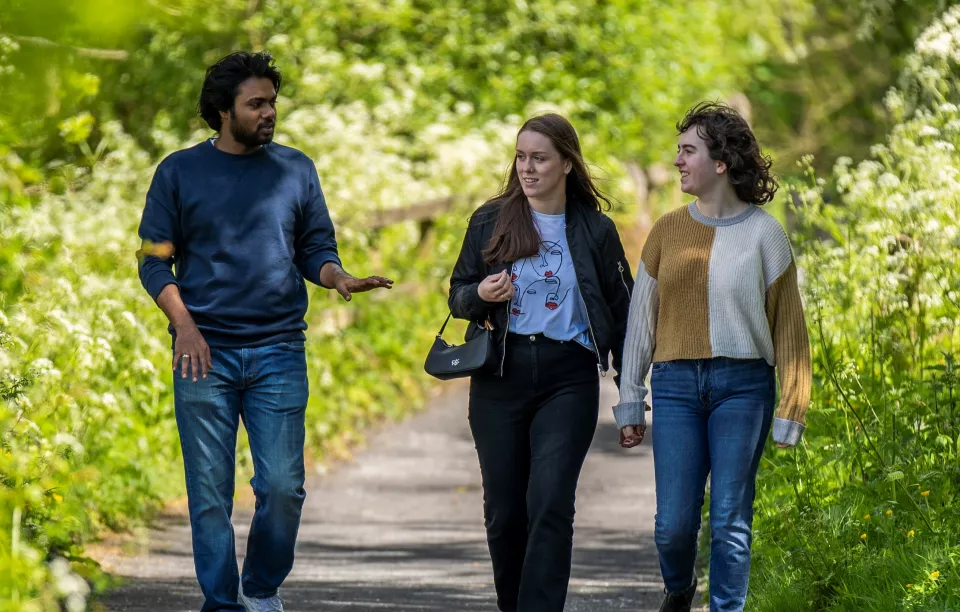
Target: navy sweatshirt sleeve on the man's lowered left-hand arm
x,y
159,233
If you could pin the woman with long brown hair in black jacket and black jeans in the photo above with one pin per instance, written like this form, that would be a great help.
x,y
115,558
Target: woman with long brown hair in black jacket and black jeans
x,y
545,268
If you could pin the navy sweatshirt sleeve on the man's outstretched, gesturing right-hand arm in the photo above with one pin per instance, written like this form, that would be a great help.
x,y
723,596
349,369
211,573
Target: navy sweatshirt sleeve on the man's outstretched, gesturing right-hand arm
x,y
316,242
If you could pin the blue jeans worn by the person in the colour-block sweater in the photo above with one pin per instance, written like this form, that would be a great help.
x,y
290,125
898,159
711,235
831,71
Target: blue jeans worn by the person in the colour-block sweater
x,y
711,416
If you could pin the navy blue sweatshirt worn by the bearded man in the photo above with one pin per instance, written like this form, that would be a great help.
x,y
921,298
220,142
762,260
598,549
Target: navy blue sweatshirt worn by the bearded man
x,y
246,231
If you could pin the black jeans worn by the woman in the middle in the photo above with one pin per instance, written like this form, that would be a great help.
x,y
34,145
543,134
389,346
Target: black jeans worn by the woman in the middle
x,y
532,429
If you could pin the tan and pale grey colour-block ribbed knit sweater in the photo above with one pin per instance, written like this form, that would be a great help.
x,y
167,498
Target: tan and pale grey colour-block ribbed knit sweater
x,y
709,287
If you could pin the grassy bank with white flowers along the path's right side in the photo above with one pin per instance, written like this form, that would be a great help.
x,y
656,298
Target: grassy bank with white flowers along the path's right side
x,y
863,516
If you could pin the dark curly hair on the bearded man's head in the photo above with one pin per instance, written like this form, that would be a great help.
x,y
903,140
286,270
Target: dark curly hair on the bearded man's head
x,y
223,79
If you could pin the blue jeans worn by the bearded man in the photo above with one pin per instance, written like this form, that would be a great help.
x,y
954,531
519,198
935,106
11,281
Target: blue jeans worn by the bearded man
x,y
266,387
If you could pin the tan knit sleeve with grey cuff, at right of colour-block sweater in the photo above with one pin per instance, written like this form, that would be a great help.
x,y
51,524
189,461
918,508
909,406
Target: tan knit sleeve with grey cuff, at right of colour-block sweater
x,y
791,347
